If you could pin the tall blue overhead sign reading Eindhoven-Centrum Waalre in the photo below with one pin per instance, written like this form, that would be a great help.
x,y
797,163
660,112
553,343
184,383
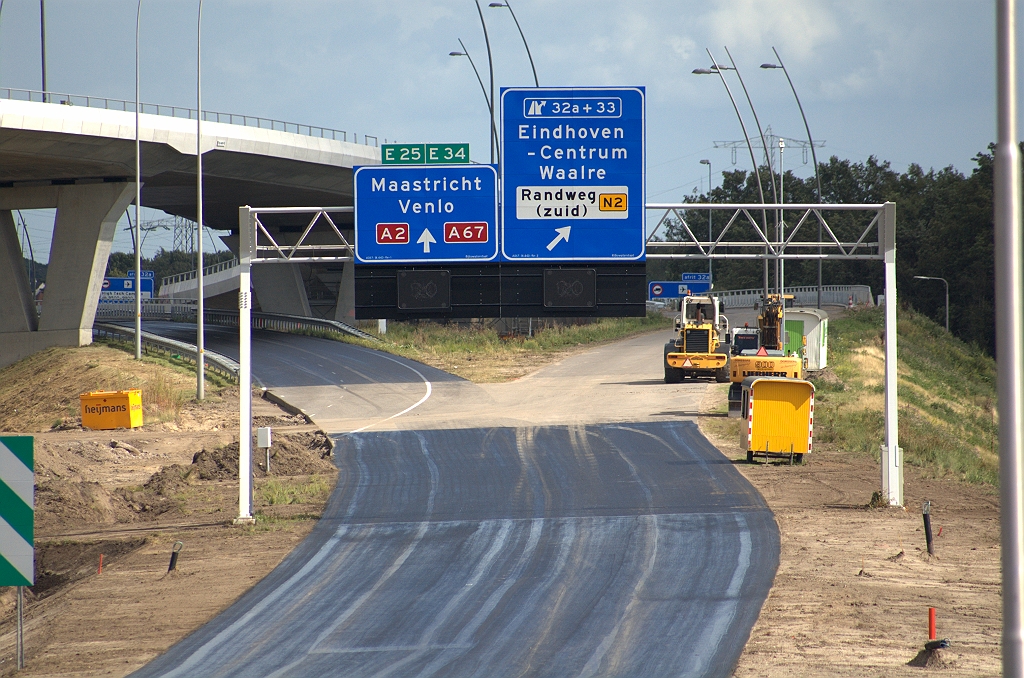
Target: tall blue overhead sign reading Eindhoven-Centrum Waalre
x,y
573,175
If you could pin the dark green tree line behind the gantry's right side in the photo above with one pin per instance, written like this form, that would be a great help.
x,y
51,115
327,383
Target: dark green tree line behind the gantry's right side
x,y
945,229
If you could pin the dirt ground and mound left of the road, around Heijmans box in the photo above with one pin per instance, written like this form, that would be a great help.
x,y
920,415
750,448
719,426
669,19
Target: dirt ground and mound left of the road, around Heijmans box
x,y
130,496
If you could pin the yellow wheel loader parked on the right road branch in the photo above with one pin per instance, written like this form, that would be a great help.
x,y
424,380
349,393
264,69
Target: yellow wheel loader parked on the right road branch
x,y
700,348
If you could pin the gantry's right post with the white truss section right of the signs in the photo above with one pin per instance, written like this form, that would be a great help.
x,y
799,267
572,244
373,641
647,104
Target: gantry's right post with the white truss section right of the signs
x,y
850,233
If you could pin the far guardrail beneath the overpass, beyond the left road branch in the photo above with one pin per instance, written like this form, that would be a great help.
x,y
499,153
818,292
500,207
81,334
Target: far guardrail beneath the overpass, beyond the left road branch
x,y
186,313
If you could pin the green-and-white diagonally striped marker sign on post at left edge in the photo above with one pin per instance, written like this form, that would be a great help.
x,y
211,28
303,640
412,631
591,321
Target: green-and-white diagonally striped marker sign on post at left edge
x,y
18,562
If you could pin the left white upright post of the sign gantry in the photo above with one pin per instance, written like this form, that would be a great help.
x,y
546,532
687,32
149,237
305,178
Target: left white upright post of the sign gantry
x,y
247,237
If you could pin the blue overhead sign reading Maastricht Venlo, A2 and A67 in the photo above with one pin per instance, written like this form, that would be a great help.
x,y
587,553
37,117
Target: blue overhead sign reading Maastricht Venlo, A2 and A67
x,y
439,214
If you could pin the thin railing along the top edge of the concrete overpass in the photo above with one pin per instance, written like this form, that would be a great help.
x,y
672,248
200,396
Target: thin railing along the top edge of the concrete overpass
x,y
189,114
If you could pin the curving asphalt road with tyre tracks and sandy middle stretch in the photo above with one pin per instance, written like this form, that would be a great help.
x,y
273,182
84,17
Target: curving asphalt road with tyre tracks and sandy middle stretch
x,y
571,524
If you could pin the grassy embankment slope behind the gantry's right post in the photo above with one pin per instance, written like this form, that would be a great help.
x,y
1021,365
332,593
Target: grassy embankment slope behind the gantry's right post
x,y
948,421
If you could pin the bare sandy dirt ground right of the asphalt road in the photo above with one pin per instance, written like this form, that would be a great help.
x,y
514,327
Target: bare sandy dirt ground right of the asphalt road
x,y
855,583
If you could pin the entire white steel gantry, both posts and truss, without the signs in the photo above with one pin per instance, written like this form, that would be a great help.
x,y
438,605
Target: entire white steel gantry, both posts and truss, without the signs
x,y
874,238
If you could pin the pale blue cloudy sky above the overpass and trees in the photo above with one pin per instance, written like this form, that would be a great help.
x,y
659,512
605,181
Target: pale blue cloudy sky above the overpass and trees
x,y
907,82
